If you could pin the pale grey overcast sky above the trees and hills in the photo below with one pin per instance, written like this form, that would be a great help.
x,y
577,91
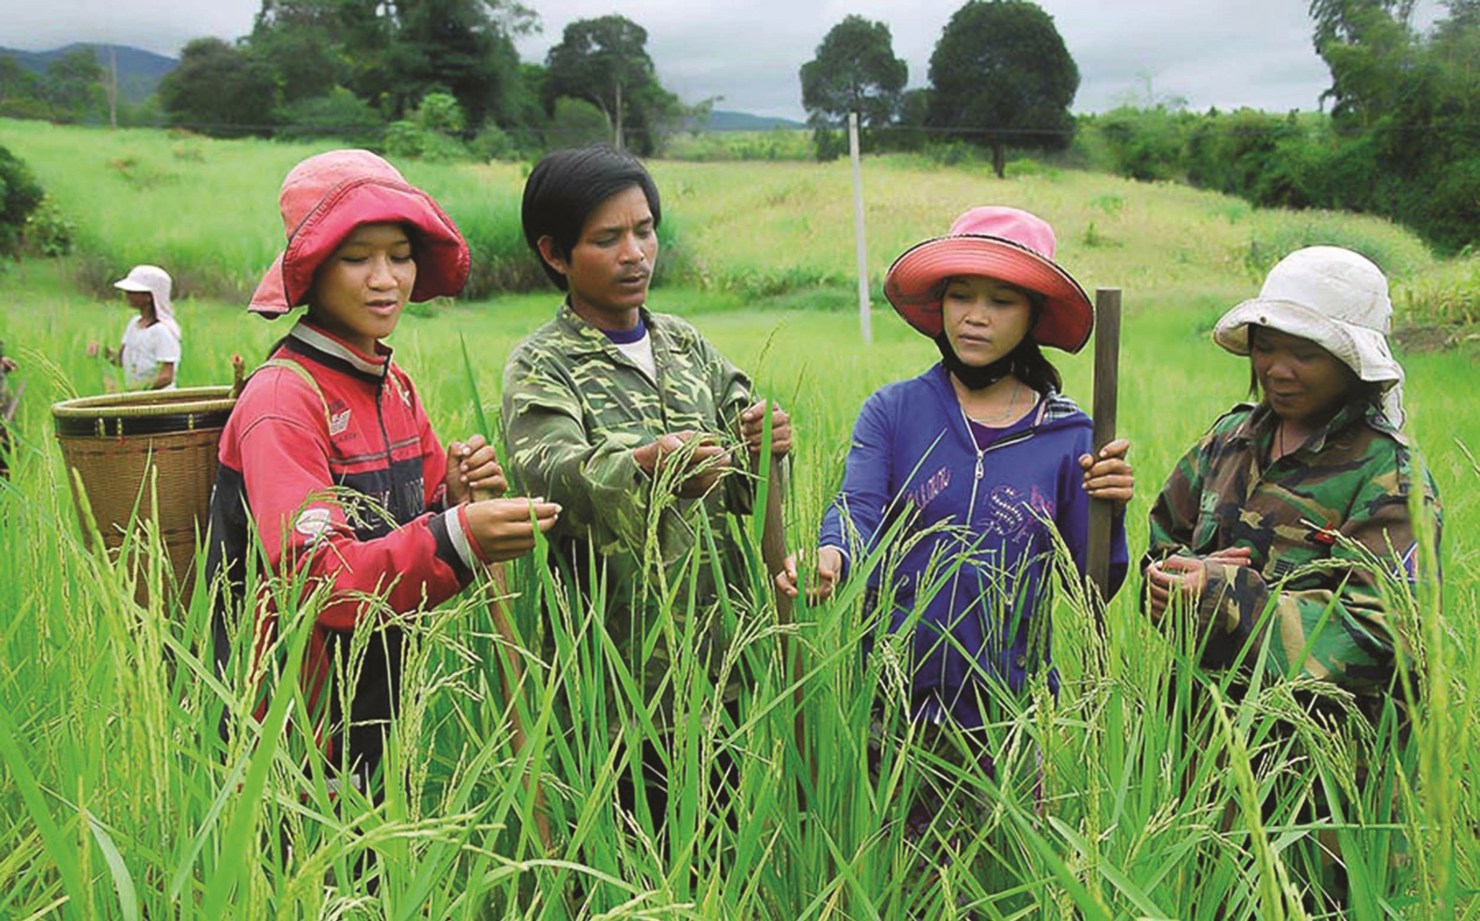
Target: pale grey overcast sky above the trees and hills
x,y
1210,53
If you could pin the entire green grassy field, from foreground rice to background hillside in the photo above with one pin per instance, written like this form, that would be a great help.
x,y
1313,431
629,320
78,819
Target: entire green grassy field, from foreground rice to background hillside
x,y
115,802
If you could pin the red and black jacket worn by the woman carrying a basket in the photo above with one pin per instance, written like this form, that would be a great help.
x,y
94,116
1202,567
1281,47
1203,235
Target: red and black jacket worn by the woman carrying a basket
x,y
331,457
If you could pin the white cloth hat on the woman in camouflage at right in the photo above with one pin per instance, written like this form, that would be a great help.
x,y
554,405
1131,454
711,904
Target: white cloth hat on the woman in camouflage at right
x,y
1336,298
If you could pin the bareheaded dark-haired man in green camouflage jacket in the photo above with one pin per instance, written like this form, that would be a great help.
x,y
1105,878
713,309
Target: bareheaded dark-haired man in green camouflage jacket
x,y
628,418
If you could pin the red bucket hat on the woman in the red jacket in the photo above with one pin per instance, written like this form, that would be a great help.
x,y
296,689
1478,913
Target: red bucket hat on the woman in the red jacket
x,y
326,198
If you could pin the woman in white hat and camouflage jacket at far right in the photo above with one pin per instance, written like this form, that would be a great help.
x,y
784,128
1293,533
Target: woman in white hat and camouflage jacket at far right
x,y
1294,498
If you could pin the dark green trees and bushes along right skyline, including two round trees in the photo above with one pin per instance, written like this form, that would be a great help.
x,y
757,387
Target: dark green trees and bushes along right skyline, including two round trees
x,y
1401,137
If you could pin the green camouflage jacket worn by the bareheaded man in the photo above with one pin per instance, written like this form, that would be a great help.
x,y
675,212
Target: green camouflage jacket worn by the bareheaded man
x,y
576,409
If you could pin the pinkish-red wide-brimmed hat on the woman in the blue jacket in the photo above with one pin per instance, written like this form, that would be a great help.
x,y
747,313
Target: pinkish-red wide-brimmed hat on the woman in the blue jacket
x,y
1001,244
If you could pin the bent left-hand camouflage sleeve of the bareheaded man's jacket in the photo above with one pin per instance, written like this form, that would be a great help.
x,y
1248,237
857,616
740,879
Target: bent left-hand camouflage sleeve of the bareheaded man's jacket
x,y
600,486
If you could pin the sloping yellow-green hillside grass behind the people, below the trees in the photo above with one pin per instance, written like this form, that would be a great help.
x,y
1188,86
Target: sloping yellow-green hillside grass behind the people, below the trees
x,y
756,230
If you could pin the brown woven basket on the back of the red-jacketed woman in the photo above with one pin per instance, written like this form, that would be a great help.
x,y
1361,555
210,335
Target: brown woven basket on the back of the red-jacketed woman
x,y
122,443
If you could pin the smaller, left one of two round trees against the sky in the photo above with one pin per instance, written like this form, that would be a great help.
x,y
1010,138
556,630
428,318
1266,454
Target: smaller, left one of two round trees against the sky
x,y
855,72
